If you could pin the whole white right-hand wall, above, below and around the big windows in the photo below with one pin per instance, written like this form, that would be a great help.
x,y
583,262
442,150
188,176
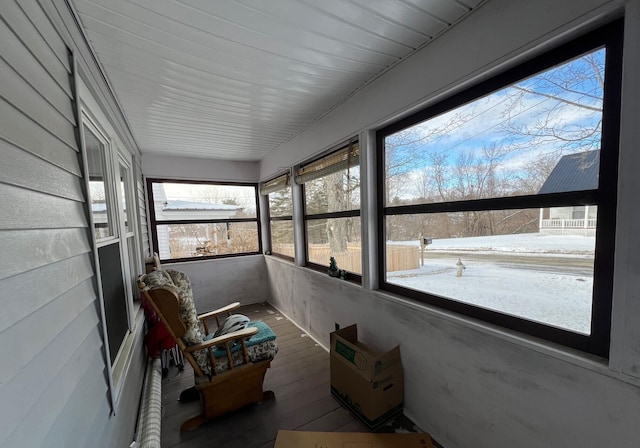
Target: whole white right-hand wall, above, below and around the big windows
x,y
471,384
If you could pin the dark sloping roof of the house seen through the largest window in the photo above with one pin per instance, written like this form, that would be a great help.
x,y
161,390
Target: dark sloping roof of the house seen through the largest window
x,y
574,172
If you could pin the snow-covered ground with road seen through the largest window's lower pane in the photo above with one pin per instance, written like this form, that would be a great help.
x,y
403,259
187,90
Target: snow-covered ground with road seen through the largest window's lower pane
x,y
544,278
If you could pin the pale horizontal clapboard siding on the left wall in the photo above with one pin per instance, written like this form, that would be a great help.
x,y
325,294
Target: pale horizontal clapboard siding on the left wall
x,y
52,378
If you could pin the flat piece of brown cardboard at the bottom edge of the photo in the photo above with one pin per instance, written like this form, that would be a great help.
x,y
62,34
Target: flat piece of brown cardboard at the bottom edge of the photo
x,y
302,439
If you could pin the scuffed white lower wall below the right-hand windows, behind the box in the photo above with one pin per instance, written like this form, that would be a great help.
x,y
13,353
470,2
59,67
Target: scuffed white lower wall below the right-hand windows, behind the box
x,y
468,384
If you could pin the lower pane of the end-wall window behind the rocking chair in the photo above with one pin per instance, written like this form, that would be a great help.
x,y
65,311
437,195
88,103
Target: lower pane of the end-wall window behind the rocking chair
x,y
195,240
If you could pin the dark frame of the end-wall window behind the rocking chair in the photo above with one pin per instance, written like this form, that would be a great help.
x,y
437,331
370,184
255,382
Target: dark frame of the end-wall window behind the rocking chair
x,y
153,222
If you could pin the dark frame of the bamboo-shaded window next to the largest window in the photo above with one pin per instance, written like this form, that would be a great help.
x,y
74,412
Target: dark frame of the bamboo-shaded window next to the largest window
x,y
306,217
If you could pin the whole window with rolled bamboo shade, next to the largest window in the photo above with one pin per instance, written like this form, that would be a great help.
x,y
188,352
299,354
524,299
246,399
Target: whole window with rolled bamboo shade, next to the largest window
x,y
332,209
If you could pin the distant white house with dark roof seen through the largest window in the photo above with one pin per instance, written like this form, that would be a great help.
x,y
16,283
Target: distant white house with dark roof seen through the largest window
x,y
573,172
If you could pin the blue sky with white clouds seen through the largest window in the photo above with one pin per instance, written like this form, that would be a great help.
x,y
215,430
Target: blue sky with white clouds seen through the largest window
x,y
482,124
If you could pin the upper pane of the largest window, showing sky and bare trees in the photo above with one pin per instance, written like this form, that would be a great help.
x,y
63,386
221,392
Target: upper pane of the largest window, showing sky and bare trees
x,y
541,135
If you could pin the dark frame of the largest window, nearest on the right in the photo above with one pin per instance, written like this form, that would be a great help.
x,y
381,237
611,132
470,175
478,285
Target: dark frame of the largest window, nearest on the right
x,y
604,197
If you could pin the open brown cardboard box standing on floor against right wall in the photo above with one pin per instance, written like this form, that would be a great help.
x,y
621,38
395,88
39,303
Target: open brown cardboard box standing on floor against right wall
x,y
366,382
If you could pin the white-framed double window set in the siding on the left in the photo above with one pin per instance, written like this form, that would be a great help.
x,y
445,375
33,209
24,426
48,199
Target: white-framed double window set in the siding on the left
x,y
110,188
